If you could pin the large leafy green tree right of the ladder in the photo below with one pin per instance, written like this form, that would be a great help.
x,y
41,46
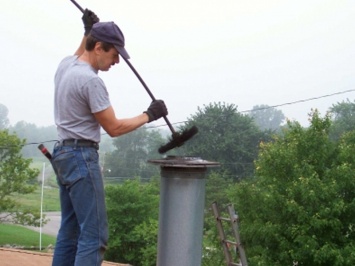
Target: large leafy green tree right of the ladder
x,y
300,206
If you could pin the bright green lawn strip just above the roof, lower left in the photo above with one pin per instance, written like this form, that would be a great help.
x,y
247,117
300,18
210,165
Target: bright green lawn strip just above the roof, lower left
x,y
21,236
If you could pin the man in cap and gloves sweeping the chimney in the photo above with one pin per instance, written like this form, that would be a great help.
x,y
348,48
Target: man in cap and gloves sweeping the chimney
x,y
82,107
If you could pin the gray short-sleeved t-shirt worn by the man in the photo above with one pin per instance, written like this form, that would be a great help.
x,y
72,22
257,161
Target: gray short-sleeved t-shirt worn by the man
x,y
79,92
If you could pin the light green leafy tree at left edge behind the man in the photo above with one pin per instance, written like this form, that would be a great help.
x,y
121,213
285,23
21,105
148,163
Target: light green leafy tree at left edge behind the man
x,y
16,177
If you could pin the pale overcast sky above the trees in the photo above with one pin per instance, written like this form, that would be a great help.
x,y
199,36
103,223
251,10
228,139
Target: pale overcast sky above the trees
x,y
189,52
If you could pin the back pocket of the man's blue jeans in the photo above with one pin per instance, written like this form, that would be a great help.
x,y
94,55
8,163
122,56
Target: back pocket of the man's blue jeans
x,y
67,168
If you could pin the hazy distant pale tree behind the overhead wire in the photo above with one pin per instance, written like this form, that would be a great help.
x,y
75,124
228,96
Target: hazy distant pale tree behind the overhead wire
x,y
267,117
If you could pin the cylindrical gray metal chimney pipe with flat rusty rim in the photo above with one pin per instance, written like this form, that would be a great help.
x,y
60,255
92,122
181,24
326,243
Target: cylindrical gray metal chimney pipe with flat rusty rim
x,y
181,210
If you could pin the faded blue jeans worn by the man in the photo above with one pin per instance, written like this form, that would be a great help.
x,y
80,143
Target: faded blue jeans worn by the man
x,y
83,234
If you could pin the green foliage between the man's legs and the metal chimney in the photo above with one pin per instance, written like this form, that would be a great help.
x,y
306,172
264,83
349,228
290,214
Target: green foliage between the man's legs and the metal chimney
x,y
132,208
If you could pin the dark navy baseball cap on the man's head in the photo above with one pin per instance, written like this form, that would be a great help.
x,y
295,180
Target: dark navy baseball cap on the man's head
x,y
109,32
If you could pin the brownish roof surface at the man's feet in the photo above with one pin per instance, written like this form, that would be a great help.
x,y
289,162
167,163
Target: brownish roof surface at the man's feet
x,y
19,257
